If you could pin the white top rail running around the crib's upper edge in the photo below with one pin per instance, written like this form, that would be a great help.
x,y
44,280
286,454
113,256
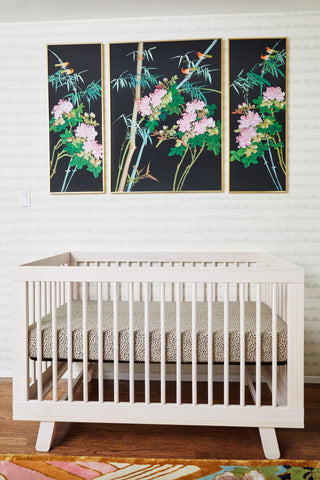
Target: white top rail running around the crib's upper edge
x,y
228,267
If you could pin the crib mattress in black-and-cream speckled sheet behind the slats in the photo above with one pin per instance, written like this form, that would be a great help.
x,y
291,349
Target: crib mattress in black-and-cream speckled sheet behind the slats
x,y
155,333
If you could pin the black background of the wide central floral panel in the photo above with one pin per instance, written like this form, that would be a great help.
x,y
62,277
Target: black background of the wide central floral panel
x,y
206,174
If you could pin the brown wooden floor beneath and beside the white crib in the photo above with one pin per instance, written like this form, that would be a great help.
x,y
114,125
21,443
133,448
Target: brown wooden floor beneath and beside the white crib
x,y
161,441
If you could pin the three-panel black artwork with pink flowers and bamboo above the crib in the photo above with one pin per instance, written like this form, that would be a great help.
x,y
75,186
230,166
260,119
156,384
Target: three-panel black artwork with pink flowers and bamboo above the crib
x,y
166,117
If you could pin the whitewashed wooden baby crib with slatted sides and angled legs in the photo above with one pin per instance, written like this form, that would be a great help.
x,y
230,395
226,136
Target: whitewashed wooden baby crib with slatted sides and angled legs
x,y
125,318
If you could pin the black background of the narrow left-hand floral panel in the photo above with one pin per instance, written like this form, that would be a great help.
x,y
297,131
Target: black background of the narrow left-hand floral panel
x,y
81,57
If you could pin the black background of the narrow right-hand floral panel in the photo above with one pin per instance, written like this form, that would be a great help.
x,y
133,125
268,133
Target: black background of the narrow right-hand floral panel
x,y
243,55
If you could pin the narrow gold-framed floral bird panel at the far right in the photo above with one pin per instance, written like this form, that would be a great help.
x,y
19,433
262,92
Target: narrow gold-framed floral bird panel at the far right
x,y
258,105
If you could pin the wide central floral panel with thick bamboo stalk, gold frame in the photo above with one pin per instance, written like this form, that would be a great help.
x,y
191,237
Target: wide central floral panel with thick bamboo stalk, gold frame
x,y
166,116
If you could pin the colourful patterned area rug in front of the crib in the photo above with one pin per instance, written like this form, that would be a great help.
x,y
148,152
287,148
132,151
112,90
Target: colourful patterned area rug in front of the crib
x,y
51,467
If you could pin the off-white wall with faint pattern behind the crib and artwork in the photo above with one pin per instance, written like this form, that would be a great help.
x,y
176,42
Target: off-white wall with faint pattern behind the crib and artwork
x,y
287,225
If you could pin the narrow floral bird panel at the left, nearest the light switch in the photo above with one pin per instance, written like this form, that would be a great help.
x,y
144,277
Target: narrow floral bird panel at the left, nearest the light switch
x,y
76,118
